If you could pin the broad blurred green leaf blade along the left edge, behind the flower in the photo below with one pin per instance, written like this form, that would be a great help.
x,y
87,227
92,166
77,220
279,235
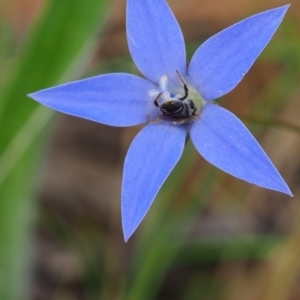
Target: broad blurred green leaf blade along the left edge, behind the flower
x,y
58,44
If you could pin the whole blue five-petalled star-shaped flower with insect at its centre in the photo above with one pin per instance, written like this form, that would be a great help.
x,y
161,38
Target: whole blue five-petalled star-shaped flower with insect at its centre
x,y
173,100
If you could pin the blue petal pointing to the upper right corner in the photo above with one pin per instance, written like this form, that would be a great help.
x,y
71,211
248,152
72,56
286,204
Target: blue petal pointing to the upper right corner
x,y
222,61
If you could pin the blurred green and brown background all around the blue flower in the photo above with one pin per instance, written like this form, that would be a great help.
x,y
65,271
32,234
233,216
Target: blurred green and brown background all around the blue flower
x,y
207,236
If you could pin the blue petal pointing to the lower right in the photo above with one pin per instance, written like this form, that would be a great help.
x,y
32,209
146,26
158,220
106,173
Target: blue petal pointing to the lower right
x,y
224,141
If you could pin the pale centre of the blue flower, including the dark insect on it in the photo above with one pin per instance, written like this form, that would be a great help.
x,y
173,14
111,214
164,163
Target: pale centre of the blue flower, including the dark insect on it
x,y
180,107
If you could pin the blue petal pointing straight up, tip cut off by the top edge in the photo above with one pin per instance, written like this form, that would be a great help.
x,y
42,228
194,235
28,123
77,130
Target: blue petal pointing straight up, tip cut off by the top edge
x,y
155,39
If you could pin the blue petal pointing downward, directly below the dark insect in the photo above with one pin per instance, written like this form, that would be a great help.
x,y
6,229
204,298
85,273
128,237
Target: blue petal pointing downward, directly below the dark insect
x,y
151,157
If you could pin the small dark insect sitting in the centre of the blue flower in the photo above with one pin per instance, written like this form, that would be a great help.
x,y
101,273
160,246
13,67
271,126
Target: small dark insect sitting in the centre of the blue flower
x,y
178,110
